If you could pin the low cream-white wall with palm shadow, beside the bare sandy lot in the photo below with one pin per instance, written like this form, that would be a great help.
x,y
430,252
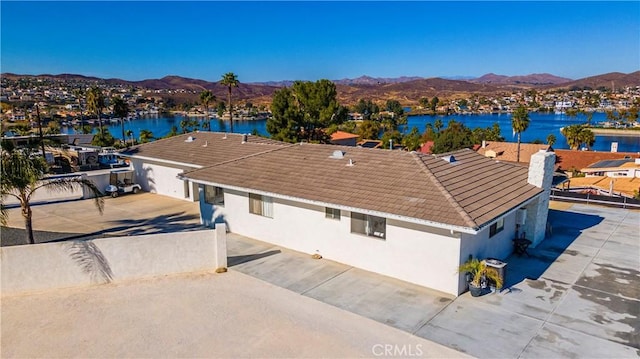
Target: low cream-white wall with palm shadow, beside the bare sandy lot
x,y
47,266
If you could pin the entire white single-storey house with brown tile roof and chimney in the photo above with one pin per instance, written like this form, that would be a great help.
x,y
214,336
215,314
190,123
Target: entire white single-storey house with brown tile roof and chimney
x,y
402,214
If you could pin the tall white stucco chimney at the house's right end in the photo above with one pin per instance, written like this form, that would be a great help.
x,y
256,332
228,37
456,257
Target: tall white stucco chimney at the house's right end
x,y
540,175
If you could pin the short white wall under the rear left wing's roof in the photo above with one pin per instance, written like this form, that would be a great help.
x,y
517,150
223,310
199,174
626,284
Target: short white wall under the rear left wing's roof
x,y
162,179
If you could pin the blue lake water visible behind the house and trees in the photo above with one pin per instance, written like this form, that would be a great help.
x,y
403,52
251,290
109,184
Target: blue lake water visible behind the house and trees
x,y
540,127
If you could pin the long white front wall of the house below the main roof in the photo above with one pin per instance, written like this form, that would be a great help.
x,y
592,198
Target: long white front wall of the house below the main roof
x,y
409,253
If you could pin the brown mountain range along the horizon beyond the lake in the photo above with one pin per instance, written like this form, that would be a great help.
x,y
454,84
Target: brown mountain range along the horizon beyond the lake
x,y
407,90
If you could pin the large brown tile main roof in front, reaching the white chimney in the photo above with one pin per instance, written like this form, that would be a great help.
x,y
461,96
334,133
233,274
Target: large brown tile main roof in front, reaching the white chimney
x,y
468,193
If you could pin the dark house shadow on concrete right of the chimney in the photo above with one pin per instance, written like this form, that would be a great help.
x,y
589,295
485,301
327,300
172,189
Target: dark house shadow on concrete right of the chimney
x,y
565,227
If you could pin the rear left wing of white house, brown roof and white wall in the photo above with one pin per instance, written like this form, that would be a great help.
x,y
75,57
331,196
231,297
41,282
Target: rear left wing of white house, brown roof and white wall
x,y
157,164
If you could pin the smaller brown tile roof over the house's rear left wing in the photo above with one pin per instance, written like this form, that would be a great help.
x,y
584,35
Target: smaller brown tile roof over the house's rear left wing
x,y
207,148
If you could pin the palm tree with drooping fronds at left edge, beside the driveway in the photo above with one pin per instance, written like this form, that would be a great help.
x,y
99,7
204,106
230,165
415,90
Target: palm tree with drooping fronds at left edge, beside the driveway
x,y
23,175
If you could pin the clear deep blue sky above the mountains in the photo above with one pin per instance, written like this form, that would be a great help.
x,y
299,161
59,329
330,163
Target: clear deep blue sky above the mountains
x,y
263,41
